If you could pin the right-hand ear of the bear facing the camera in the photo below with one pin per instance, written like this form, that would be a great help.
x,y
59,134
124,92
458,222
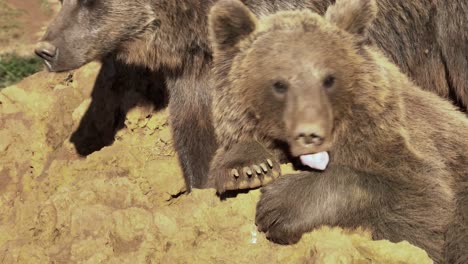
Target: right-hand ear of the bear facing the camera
x,y
353,16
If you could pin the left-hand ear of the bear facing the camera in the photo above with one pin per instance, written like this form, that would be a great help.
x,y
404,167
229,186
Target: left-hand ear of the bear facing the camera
x,y
229,22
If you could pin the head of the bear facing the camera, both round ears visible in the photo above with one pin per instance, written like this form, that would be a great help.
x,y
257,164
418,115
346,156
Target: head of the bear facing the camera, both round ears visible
x,y
295,76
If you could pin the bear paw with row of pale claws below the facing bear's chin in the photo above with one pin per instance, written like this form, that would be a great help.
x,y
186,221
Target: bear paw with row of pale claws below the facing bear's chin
x,y
244,166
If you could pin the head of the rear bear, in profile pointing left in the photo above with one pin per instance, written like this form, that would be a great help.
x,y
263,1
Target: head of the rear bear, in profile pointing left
x,y
85,30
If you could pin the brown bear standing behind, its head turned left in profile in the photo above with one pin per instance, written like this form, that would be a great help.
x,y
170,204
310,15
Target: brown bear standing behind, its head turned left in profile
x,y
171,37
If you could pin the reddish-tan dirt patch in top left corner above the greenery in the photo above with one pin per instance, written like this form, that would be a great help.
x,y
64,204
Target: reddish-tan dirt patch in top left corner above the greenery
x,y
22,23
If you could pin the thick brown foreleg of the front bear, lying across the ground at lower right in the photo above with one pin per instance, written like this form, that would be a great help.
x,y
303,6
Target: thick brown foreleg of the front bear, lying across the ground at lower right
x,y
340,196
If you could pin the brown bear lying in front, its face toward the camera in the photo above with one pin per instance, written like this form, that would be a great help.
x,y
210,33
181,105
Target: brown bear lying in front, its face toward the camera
x,y
398,154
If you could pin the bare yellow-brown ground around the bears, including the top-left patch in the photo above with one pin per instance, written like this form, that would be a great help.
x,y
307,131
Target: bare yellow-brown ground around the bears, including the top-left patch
x,y
88,175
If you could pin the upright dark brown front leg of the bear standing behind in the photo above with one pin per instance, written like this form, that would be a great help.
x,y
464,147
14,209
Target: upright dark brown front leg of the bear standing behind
x,y
192,128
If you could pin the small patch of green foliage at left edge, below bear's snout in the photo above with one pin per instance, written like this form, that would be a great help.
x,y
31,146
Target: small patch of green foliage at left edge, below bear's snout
x,y
14,68
